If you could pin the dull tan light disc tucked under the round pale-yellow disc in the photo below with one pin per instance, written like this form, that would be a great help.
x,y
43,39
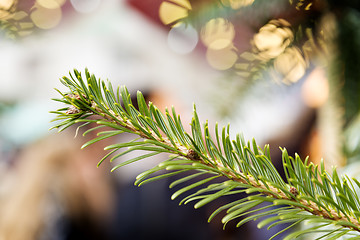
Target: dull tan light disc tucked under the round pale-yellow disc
x,y
221,59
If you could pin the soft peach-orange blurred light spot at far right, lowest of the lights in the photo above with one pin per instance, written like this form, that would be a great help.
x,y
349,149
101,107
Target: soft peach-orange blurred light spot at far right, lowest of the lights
x,y
315,90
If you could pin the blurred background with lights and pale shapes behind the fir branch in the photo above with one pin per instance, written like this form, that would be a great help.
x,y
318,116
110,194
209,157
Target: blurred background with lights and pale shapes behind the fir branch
x,y
284,72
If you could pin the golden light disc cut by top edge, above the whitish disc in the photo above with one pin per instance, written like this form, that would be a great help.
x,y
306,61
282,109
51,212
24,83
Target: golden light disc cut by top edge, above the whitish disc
x,y
171,12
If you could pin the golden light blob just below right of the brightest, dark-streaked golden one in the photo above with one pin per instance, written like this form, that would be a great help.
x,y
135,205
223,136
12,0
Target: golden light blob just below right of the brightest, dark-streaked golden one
x,y
291,65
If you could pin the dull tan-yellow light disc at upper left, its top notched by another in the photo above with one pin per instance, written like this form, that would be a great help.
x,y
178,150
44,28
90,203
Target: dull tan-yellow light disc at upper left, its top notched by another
x,y
46,18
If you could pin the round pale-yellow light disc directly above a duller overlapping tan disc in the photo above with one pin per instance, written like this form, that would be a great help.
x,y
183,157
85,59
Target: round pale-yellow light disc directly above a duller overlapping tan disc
x,y
217,33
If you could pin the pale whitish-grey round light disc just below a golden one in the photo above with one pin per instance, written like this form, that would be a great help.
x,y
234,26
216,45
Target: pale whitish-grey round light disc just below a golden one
x,y
182,38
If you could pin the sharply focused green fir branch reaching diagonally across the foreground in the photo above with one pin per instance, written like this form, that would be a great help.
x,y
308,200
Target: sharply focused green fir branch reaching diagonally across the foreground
x,y
309,193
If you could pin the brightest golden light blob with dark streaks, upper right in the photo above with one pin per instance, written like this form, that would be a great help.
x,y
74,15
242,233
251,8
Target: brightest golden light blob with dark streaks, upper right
x,y
272,39
